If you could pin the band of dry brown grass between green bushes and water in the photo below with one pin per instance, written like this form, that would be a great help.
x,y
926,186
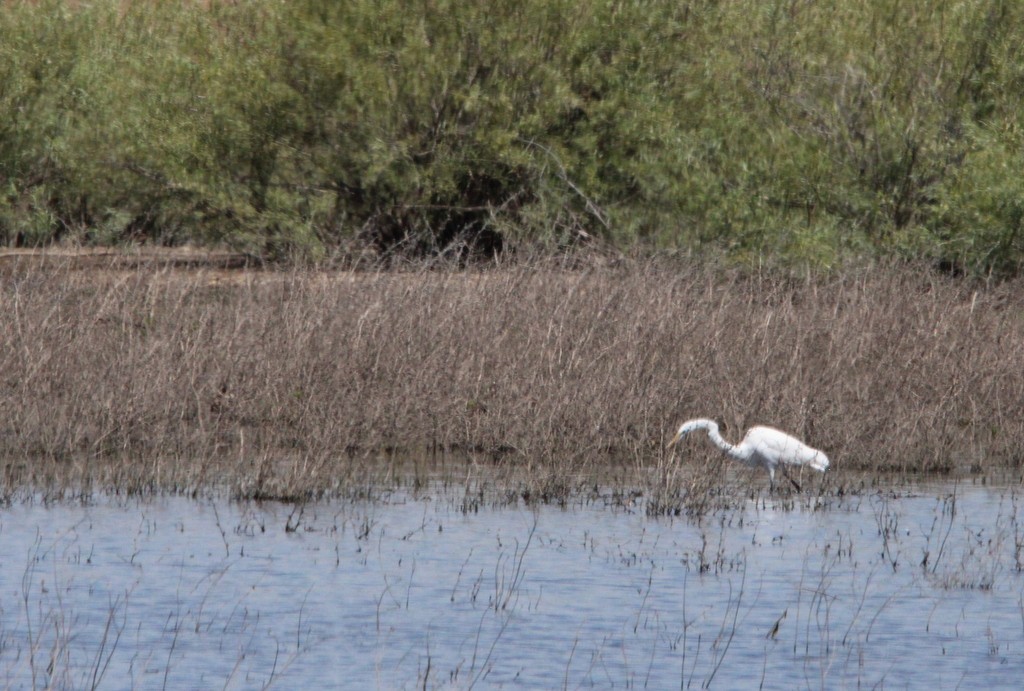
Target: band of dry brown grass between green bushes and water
x,y
279,384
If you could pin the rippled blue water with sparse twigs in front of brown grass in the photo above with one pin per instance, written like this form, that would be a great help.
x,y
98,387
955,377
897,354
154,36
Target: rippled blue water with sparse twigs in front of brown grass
x,y
912,590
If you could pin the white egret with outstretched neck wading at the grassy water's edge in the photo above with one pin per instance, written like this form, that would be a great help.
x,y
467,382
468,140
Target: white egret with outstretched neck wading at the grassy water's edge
x,y
763,447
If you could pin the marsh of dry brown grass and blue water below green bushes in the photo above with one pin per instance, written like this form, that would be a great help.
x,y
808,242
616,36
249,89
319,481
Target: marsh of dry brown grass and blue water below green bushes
x,y
458,479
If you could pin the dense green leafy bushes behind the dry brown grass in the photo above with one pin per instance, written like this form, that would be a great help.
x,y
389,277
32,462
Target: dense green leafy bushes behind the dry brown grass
x,y
797,131
